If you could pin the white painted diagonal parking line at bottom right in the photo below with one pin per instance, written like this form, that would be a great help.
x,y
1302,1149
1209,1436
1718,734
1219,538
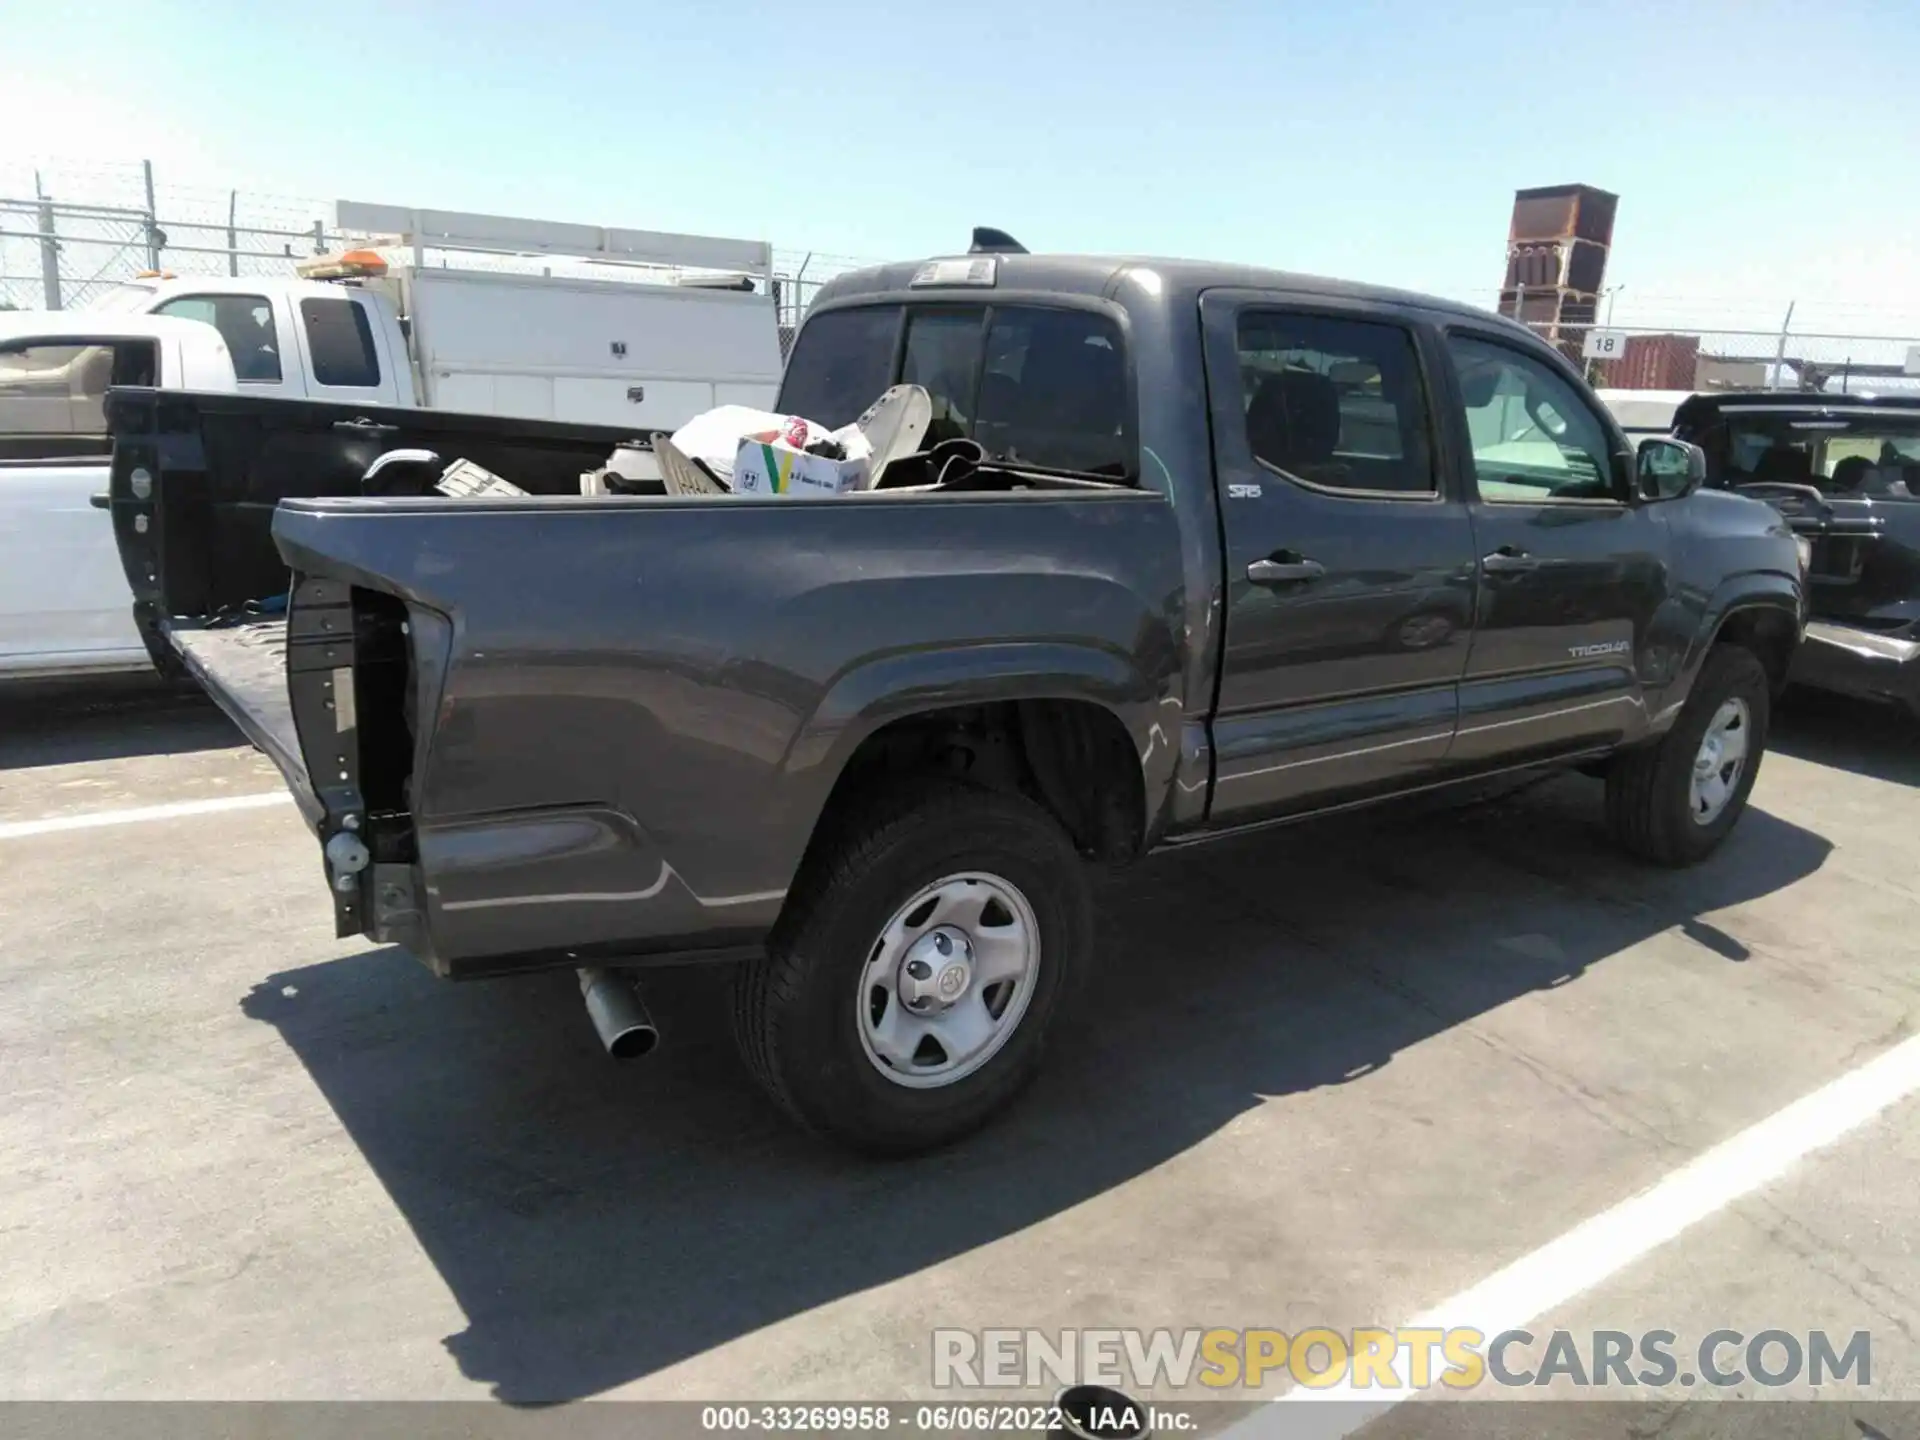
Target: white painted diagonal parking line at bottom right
x,y
1616,1239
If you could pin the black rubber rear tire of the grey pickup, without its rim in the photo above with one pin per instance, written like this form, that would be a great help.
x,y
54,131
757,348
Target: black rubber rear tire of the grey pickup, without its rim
x,y
796,1011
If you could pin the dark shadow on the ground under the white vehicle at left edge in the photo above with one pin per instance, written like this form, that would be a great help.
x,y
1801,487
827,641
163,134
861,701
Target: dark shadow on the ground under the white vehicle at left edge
x,y
105,719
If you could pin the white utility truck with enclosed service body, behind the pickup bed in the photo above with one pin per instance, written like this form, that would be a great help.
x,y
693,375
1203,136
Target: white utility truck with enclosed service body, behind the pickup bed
x,y
416,318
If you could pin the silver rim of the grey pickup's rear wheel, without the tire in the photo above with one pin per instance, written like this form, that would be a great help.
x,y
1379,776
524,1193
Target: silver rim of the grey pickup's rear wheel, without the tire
x,y
949,980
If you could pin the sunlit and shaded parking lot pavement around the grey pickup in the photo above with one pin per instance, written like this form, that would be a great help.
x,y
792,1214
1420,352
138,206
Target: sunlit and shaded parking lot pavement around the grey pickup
x,y
1324,1078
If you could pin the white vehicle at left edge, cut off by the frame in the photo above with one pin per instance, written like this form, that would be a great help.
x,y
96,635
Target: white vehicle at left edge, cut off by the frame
x,y
64,602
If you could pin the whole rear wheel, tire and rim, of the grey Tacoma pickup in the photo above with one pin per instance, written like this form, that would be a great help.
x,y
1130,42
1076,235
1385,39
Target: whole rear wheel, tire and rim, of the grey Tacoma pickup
x,y
907,996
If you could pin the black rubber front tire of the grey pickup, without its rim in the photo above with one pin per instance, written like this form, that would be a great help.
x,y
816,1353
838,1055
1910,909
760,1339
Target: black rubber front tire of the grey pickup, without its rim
x,y
1650,790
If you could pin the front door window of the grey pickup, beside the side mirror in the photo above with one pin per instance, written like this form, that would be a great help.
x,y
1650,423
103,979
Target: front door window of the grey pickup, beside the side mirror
x,y
1533,437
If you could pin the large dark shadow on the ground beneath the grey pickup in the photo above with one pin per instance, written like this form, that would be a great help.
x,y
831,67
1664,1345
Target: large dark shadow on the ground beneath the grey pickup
x,y
602,1222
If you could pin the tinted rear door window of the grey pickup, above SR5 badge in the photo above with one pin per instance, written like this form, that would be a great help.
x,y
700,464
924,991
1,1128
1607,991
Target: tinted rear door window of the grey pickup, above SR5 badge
x,y
1335,402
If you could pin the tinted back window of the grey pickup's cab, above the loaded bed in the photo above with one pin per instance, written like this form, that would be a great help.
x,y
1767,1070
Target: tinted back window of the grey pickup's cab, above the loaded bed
x,y
1034,385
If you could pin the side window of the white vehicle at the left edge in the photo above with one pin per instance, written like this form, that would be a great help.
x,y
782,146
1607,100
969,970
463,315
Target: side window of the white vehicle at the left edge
x,y
53,396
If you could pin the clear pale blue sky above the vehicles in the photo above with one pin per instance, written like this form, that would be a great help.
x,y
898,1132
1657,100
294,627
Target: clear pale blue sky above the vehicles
x,y
1374,141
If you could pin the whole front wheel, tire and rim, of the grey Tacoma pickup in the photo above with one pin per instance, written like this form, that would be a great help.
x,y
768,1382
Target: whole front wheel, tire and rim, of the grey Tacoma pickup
x,y
1677,802
